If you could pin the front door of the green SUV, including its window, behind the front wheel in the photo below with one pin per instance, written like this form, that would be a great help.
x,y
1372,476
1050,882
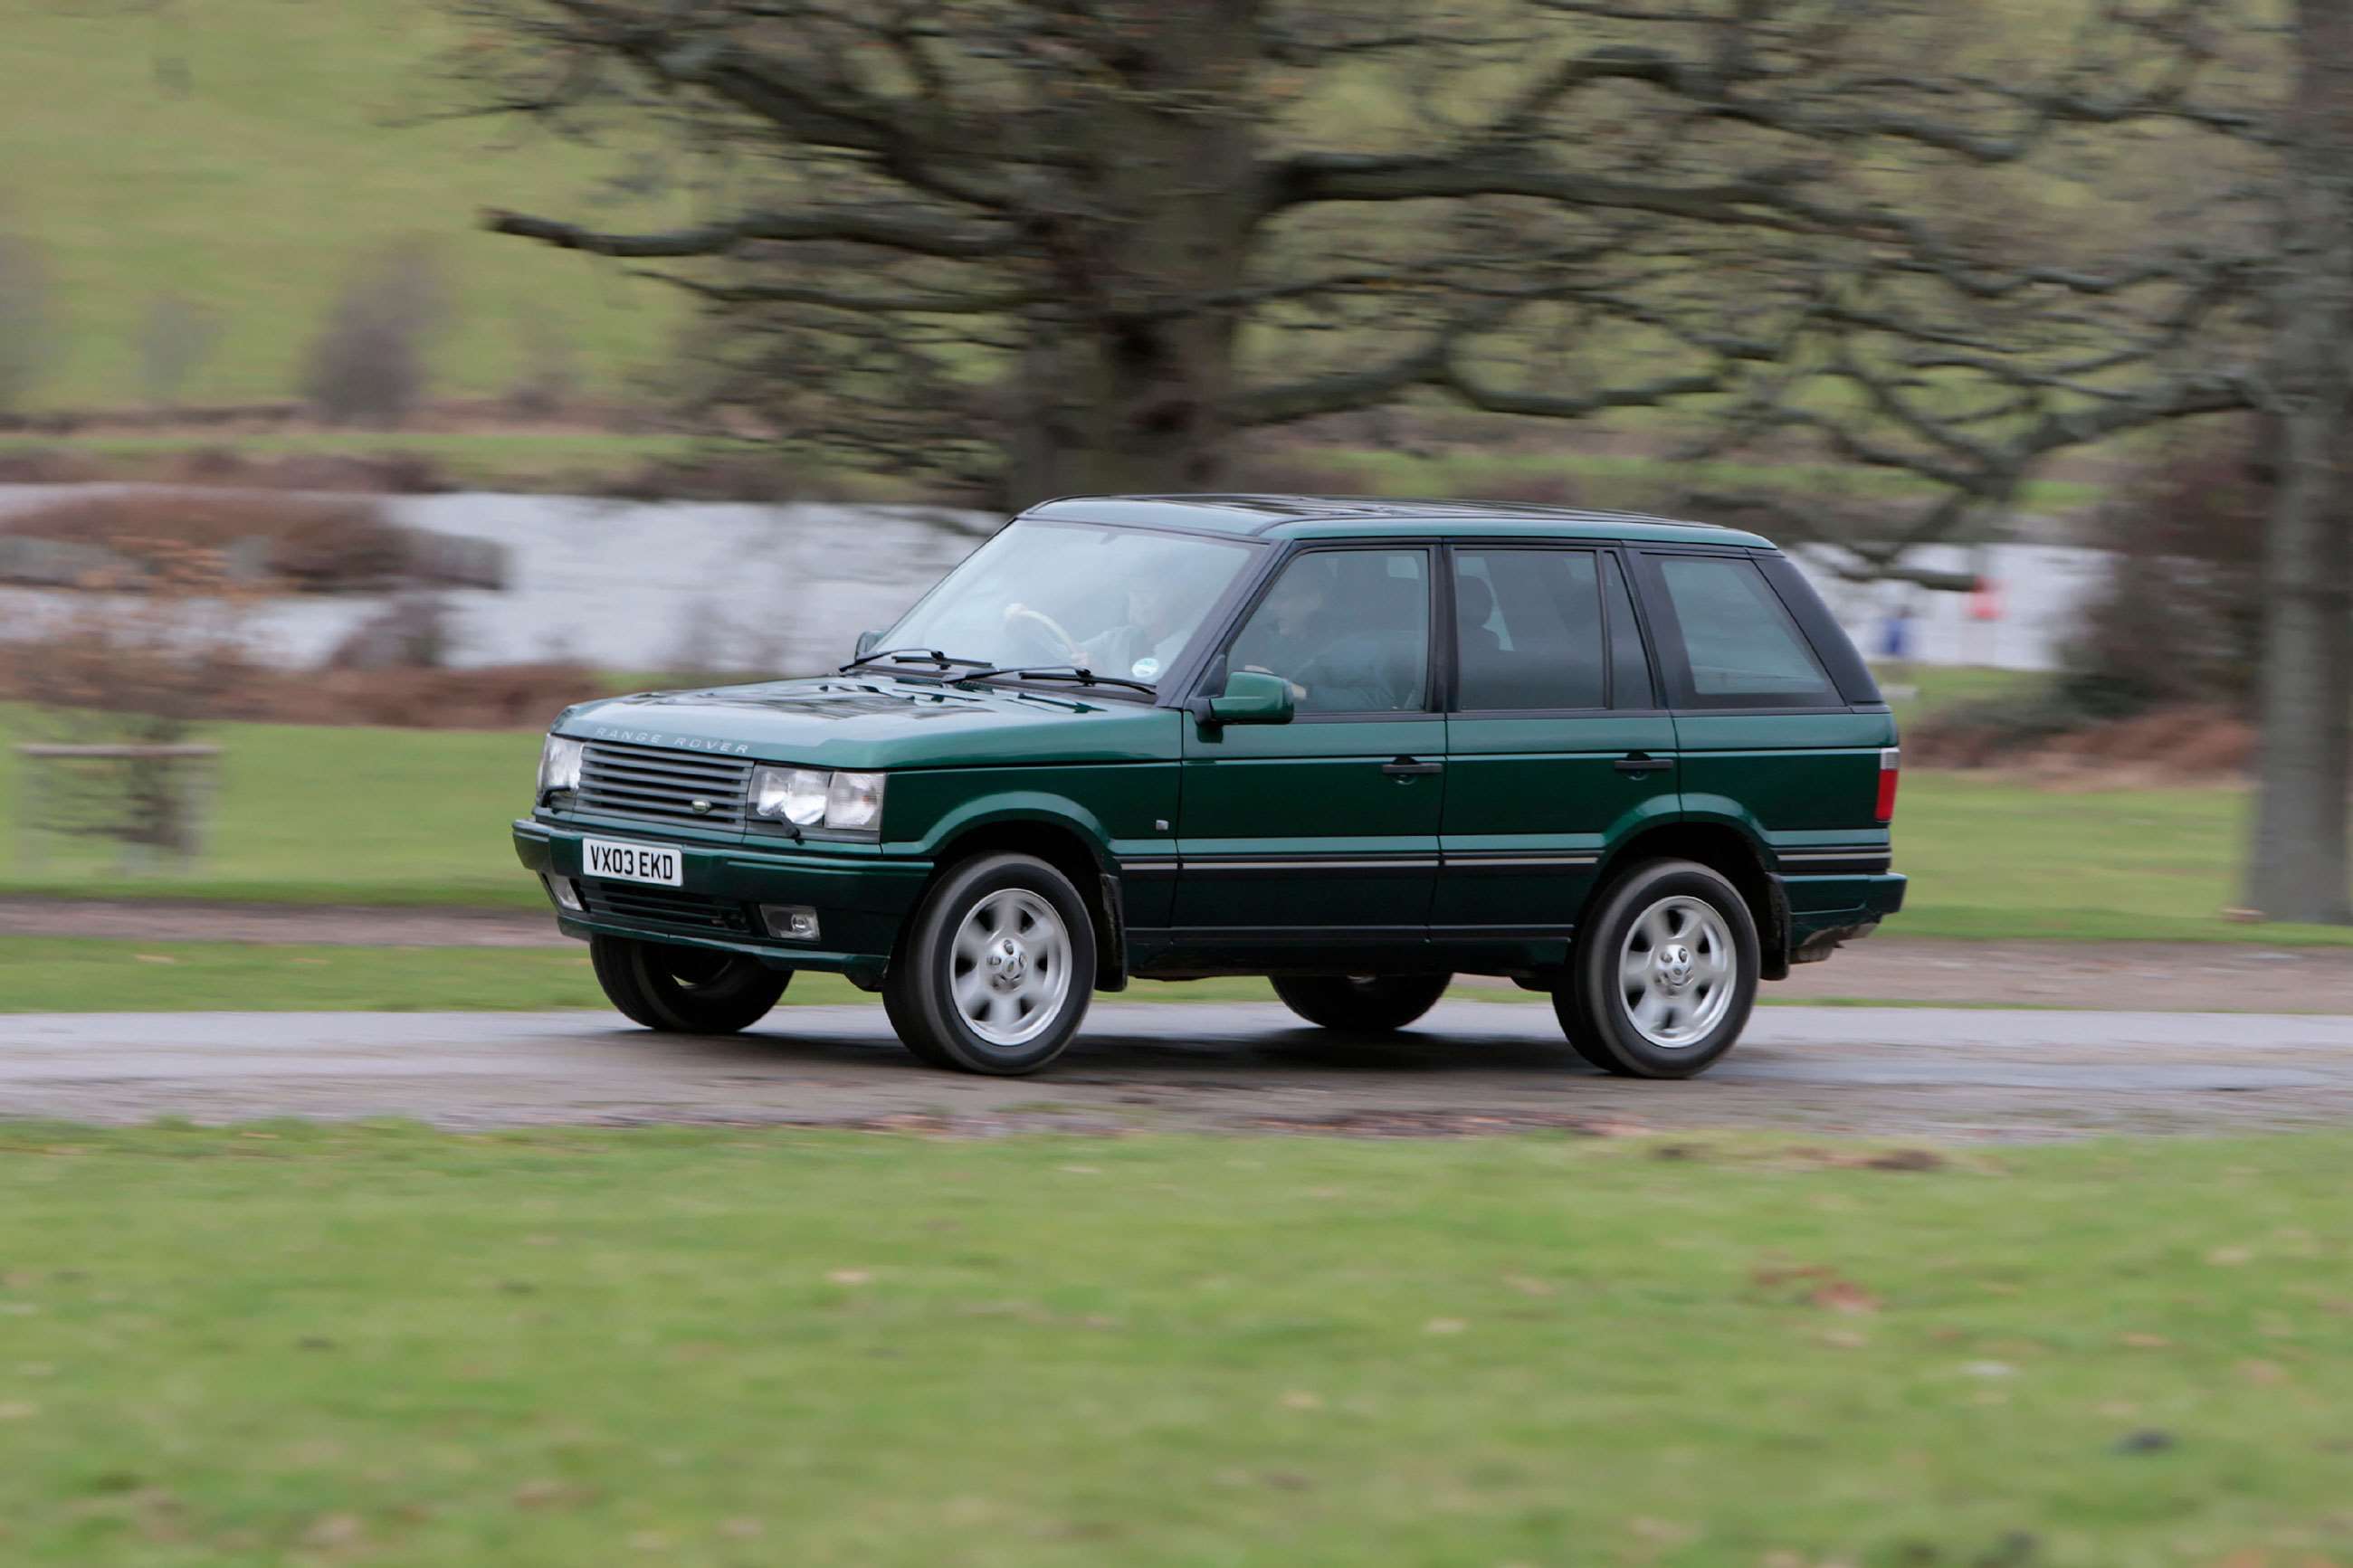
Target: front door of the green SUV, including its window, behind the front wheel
x,y
1324,829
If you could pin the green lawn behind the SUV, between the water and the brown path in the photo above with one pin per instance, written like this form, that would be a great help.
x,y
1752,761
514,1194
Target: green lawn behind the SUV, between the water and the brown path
x,y
420,817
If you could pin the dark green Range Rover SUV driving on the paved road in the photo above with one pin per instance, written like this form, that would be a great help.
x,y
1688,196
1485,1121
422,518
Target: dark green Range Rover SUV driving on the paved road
x,y
1357,746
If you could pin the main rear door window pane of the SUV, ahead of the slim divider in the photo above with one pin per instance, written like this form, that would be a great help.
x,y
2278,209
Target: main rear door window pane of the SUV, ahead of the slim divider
x,y
1528,629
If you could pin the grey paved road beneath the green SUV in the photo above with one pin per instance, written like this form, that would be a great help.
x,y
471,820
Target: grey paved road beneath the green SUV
x,y
1472,1066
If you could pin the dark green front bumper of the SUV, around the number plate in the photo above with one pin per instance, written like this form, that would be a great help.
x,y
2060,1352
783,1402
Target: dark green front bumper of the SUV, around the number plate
x,y
860,899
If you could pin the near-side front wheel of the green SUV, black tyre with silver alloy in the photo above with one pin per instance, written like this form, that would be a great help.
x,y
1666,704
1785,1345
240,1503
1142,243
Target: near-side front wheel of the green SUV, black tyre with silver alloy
x,y
935,1017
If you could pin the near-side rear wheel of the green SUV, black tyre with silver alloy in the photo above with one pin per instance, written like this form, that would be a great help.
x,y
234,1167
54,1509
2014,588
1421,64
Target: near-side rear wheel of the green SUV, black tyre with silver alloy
x,y
1599,1005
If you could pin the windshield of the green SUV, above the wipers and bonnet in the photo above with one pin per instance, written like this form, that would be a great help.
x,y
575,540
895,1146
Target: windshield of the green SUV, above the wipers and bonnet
x,y
1074,594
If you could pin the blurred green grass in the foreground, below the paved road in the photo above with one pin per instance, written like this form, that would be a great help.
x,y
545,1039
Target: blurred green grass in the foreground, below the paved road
x,y
385,1346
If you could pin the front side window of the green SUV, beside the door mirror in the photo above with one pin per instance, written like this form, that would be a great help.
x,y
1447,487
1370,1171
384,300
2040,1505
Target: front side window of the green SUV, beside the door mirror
x,y
1349,629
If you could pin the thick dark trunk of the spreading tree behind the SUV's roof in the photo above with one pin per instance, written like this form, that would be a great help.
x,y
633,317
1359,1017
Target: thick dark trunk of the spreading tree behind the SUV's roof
x,y
1128,380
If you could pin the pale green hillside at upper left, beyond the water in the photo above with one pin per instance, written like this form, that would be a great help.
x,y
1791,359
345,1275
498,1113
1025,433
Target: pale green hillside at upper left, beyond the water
x,y
244,152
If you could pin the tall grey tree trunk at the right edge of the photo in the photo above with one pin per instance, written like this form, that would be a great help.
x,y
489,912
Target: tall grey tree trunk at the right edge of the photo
x,y
2307,683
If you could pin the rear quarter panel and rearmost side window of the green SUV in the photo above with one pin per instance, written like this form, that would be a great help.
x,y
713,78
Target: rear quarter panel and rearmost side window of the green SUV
x,y
1780,732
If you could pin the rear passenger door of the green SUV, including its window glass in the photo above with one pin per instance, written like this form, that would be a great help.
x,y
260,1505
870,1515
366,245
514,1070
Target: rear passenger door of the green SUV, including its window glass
x,y
1557,739
